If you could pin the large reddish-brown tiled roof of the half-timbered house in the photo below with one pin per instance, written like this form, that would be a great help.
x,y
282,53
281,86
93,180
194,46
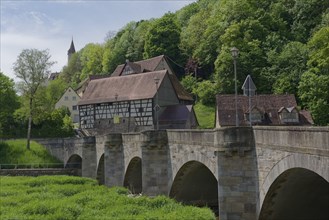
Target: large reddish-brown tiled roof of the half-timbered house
x,y
130,87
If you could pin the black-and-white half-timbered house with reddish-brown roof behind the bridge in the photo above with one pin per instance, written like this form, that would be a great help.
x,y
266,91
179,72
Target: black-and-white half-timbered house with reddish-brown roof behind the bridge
x,y
130,102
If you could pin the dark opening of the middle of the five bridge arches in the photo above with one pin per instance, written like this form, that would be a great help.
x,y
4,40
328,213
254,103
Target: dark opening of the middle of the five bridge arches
x,y
133,175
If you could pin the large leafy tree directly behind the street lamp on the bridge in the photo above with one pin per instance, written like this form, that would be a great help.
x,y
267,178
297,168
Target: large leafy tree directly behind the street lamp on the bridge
x,y
247,36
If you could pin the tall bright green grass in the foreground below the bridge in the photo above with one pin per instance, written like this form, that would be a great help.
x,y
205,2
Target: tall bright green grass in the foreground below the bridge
x,y
68,197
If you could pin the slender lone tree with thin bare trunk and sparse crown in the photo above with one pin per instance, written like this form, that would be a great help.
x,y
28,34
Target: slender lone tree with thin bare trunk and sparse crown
x,y
32,67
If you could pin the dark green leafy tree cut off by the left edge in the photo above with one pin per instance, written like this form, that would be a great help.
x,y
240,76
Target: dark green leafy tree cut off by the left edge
x,y
9,103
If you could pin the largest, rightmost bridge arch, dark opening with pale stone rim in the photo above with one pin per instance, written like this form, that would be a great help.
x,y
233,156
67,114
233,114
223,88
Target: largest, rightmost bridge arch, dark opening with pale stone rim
x,y
297,187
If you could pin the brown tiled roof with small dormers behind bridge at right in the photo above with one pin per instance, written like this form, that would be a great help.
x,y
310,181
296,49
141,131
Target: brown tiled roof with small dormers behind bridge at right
x,y
267,104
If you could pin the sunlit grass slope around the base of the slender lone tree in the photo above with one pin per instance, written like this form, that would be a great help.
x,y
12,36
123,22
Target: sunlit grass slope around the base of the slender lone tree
x,y
15,152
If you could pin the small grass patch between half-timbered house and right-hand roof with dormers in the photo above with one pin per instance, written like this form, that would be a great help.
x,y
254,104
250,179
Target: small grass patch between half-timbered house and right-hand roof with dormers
x,y
205,115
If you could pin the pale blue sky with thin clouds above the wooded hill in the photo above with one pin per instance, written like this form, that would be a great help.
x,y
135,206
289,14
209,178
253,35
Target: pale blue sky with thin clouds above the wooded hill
x,y
41,24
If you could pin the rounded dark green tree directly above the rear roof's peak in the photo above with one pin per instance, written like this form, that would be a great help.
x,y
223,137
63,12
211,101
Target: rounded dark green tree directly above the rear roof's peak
x,y
163,37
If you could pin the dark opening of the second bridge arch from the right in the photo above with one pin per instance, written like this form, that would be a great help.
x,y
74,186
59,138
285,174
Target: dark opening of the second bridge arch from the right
x,y
195,184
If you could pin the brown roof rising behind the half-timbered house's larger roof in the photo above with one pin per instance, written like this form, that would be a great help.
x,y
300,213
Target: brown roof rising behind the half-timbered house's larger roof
x,y
148,65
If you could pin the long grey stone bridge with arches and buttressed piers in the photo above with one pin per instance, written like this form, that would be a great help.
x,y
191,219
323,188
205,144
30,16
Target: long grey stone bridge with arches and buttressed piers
x,y
241,173
